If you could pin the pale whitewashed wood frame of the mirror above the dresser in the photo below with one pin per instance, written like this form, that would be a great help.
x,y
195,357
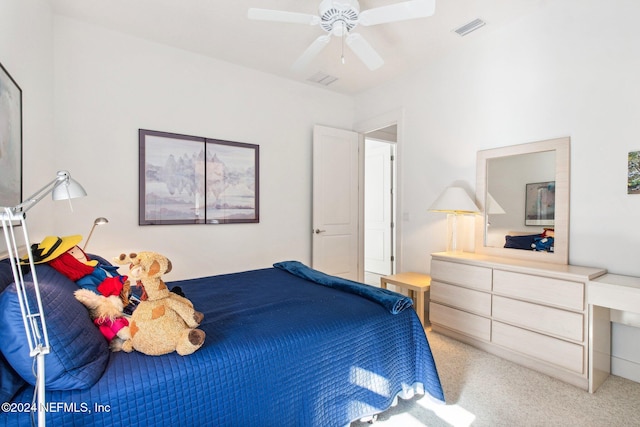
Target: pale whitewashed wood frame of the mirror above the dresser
x,y
561,223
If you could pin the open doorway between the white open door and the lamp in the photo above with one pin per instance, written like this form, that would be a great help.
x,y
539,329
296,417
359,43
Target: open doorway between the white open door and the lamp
x,y
379,204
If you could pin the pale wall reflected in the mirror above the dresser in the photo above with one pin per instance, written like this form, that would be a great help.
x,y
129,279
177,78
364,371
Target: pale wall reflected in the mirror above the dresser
x,y
507,181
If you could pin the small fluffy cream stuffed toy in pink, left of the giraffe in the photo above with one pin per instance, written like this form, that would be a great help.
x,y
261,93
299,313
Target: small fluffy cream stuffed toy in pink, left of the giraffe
x,y
107,314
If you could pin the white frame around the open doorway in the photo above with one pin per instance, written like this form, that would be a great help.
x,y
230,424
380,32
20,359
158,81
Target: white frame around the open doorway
x,y
394,117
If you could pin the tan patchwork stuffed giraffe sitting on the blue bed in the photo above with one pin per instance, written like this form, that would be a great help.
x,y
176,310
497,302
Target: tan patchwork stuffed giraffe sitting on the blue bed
x,y
164,321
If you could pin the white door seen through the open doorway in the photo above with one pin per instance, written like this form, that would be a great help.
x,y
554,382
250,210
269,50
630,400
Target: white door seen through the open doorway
x,y
378,207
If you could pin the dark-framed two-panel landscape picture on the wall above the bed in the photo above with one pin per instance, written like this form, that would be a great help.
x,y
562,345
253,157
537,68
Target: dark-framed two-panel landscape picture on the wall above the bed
x,y
195,180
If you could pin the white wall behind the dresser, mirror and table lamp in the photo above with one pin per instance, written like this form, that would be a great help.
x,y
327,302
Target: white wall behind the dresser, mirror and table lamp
x,y
569,70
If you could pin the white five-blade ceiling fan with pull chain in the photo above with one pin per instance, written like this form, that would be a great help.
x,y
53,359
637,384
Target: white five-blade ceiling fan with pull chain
x,y
340,17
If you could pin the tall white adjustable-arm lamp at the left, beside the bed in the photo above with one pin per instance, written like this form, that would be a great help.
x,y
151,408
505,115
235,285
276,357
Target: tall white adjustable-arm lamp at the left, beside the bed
x,y
61,188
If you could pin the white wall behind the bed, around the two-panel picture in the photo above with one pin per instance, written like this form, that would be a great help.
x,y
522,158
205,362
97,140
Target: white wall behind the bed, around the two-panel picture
x,y
108,85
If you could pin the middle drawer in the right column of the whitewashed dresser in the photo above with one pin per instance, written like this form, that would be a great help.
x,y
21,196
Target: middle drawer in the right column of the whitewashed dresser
x,y
561,323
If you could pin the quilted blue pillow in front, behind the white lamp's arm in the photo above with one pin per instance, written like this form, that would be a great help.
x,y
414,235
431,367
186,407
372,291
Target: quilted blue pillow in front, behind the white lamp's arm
x,y
78,352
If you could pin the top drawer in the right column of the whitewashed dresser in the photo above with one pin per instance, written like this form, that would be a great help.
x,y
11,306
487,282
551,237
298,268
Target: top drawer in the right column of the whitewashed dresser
x,y
556,292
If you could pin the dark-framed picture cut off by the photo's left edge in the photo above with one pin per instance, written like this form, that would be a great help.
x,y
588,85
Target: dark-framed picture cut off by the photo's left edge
x,y
10,140
